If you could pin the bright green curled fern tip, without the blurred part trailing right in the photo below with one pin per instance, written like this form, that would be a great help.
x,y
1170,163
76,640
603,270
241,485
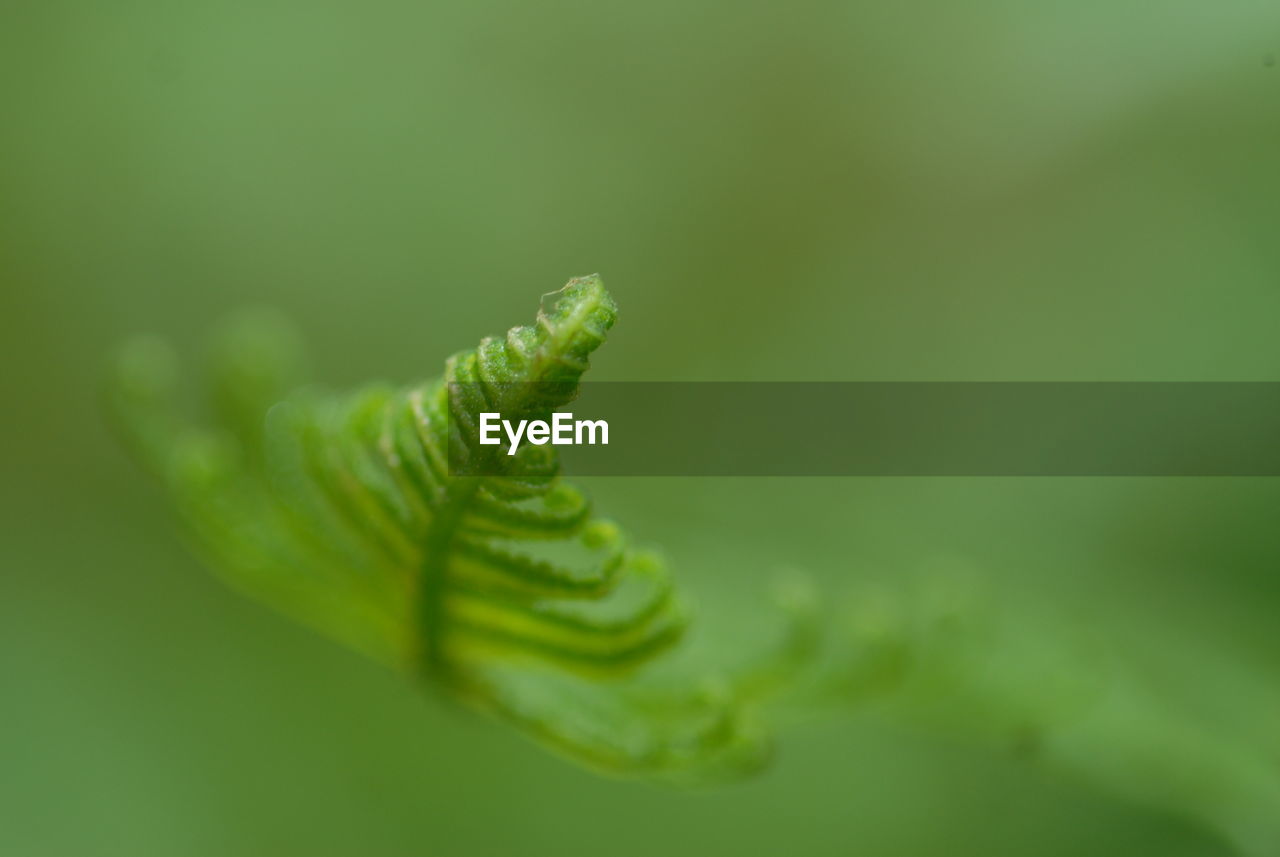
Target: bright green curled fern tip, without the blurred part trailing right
x,y
504,592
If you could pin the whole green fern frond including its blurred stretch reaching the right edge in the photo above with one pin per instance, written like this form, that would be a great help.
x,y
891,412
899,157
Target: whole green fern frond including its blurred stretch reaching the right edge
x,y
504,592
